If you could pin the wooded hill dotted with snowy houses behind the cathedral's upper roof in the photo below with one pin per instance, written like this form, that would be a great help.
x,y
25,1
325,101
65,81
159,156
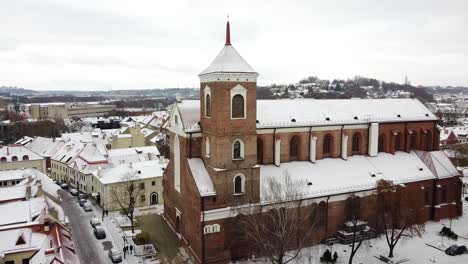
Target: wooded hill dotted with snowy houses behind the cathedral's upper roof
x,y
341,89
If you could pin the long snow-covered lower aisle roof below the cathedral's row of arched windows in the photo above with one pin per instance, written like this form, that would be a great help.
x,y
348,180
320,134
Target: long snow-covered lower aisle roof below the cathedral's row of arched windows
x,y
333,176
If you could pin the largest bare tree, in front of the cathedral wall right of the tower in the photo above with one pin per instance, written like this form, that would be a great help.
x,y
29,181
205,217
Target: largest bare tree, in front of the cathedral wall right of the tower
x,y
279,231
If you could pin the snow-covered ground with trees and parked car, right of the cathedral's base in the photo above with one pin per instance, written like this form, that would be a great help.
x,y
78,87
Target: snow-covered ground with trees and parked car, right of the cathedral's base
x,y
414,249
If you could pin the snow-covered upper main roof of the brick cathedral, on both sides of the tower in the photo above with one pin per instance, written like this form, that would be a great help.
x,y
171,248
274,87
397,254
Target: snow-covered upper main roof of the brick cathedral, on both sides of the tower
x,y
307,112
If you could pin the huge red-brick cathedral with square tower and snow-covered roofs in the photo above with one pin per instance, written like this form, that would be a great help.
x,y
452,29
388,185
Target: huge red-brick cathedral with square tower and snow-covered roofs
x,y
225,147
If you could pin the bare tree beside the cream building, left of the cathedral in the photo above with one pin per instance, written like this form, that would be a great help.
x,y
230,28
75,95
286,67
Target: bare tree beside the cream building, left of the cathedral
x,y
126,193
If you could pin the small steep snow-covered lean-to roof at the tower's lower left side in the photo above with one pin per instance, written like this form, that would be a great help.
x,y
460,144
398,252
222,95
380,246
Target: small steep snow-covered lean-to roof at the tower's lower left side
x,y
202,178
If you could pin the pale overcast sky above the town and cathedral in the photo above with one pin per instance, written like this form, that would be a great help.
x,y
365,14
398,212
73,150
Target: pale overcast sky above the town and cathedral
x,y
113,44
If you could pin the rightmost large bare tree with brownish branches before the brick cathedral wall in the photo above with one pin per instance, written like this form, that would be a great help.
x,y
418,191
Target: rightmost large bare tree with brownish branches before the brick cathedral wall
x,y
399,213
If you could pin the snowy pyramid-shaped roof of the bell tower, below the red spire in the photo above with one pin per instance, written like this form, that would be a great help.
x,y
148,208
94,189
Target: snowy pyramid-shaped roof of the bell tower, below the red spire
x,y
228,61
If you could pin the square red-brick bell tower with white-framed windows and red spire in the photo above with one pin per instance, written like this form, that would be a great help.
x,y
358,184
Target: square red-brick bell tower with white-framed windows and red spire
x,y
228,121
